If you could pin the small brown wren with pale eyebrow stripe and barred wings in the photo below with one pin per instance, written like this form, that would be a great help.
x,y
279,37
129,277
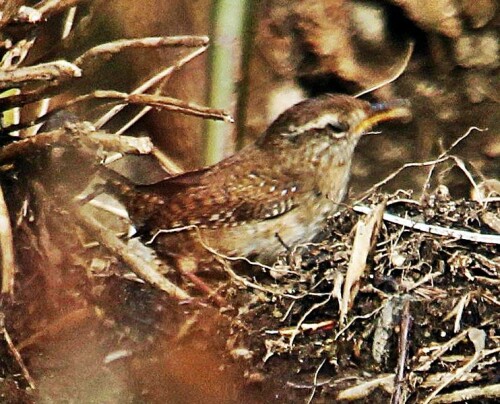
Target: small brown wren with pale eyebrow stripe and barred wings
x,y
274,193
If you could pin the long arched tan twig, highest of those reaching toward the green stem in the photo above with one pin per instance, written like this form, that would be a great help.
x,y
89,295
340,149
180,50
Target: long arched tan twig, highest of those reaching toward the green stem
x,y
149,42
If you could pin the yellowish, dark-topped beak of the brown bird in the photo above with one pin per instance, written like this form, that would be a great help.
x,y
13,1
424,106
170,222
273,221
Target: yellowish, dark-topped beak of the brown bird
x,y
385,111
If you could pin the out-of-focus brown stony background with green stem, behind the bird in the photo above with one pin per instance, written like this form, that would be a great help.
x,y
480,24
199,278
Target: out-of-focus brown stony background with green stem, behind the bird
x,y
266,55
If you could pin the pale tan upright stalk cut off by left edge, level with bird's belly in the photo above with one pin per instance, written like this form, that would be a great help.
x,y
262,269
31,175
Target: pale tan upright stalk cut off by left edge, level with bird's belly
x,y
8,264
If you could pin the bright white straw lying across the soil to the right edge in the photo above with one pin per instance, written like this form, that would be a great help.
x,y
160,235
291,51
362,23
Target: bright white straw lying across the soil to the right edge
x,y
433,229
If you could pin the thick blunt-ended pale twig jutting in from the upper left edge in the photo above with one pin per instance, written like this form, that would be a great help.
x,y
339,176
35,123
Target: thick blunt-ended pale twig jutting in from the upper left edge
x,y
60,69
